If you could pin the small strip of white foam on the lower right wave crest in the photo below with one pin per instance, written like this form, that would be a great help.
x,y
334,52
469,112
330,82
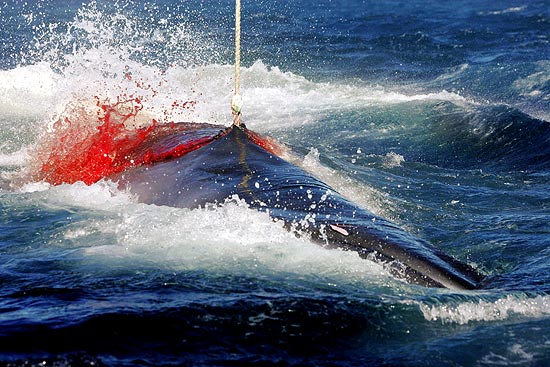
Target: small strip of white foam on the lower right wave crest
x,y
482,310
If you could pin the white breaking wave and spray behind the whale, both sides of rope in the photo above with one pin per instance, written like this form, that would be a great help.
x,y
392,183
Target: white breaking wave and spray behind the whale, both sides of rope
x,y
110,53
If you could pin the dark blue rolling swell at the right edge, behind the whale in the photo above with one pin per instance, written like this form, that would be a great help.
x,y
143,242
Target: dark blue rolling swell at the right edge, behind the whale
x,y
444,134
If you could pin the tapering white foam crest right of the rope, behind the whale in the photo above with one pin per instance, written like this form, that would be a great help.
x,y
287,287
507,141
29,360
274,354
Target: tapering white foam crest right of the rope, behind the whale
x,y
275,99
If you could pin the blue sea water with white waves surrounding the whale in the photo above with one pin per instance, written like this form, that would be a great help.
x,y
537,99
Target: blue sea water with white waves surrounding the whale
x,y
433,114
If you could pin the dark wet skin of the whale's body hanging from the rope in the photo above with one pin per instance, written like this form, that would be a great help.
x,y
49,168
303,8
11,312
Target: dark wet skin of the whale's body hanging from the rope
x,y
232,163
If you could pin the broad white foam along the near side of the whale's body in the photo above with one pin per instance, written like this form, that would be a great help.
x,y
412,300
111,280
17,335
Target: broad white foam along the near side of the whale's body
x,y
229,238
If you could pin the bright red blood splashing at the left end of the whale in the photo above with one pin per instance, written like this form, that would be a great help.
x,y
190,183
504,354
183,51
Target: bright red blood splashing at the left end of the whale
x,y
90,144
